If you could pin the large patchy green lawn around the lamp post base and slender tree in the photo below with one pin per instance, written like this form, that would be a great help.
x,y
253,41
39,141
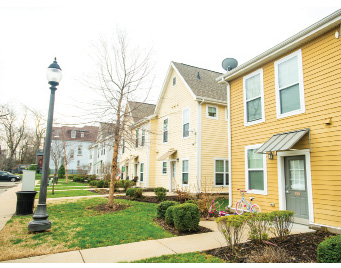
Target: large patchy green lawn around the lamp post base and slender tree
x,y
77,225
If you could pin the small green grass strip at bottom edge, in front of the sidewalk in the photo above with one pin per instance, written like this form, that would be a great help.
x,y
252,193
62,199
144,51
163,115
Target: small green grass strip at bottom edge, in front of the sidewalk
x,y
183,258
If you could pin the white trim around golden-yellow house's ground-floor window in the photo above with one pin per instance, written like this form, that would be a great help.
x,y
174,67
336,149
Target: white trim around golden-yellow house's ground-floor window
x,y
264,169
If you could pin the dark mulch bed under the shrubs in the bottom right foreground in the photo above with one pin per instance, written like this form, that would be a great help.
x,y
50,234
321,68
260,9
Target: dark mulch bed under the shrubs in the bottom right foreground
x,y
298,248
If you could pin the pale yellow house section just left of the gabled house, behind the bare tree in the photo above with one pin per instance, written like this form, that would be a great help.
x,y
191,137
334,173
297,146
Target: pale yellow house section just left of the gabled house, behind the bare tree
x,y
137,152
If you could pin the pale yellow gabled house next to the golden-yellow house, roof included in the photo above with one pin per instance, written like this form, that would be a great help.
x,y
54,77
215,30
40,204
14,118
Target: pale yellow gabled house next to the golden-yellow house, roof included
x,y
191,148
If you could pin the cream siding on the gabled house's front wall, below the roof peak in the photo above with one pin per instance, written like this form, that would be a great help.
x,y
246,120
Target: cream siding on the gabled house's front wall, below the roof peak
x,y
174,101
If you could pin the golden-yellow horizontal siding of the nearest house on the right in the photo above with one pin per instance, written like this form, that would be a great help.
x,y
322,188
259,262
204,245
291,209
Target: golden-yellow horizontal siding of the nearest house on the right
x,y
321,77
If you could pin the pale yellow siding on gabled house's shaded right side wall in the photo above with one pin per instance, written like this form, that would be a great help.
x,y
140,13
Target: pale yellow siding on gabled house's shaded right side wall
x,y
214,144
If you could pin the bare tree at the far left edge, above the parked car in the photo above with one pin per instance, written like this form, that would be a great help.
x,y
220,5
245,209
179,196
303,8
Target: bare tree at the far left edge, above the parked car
x,y
14,132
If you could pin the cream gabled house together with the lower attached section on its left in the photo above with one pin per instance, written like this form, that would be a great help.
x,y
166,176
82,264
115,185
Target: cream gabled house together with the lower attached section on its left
x,y
182,142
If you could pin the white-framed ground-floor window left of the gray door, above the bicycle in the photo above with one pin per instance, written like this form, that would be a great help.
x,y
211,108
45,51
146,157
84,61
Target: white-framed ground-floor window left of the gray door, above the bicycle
x,y
255,170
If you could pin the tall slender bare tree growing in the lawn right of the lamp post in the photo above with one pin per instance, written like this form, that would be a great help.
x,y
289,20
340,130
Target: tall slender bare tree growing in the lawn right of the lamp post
x,y
123,74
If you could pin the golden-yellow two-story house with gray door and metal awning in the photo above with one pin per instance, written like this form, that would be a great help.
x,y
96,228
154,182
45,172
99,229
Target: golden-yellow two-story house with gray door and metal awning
x,y
284,126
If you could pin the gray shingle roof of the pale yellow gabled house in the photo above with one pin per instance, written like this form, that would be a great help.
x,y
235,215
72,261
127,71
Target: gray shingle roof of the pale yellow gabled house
x,y
202,82
